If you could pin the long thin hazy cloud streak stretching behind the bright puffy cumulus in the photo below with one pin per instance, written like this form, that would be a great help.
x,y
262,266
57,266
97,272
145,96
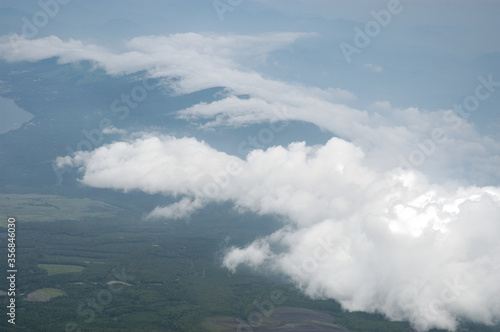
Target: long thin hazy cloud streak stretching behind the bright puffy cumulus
x,y
190,62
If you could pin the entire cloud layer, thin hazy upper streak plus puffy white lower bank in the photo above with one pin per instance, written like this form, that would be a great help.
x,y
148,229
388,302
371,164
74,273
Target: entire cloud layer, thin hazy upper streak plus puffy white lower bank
x,y
374,231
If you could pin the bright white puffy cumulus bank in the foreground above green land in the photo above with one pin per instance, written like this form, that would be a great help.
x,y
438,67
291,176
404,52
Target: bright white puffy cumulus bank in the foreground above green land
x,y
390,242
